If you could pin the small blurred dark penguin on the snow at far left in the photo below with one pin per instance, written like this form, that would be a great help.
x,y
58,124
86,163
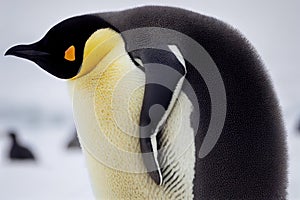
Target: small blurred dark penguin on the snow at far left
x,y
17,151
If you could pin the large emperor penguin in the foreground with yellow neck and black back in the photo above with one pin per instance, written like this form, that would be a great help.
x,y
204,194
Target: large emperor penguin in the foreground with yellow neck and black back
x,y
168,104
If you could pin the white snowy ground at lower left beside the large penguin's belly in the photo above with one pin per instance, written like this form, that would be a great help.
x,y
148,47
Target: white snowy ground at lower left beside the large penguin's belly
x,y
57,174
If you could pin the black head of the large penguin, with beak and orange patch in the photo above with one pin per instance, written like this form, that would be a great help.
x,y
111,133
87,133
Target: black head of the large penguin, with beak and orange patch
x,y
60,51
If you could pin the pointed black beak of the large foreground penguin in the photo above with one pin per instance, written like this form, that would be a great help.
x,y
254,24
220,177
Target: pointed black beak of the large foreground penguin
x,y
26,51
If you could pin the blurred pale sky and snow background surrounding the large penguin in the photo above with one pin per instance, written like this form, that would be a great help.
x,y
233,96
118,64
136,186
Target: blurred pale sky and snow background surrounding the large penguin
x,y
37,107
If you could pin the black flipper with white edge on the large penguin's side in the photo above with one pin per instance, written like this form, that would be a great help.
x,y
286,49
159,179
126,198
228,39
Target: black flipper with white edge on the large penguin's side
x,y
165,73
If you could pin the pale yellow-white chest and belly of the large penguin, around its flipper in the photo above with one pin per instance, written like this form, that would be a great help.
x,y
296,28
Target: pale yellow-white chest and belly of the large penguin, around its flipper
x,y
106,109
